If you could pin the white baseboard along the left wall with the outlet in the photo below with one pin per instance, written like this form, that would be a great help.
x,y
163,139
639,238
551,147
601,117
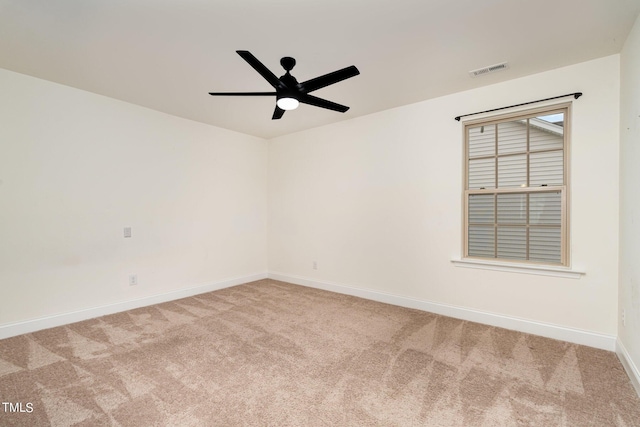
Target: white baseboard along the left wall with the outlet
x,y
19,328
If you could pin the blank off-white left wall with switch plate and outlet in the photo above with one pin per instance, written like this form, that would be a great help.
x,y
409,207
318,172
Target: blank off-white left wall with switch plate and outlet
x,y
75,168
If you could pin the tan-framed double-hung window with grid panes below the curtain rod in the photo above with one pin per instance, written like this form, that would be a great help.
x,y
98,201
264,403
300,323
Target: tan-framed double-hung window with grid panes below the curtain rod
x,y
515,195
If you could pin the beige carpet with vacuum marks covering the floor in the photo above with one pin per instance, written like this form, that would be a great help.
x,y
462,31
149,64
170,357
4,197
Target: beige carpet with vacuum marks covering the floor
x,y
269,353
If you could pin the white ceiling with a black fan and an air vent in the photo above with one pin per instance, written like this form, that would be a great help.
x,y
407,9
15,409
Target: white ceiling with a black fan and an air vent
x,y
168,54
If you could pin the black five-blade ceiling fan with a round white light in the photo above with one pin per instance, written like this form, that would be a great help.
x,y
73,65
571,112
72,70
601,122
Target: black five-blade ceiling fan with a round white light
x,y
289,93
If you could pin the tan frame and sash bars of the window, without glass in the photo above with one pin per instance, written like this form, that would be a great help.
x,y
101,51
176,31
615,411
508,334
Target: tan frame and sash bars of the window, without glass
x,y
487,120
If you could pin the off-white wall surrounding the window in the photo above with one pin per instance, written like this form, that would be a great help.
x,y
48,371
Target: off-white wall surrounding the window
x,y
376,201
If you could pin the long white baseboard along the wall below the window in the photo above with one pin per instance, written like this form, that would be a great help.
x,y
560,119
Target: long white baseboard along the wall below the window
x,y
591,339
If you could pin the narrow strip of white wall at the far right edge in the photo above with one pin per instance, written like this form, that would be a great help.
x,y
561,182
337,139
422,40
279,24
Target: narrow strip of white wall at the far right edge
x,y
629,293
